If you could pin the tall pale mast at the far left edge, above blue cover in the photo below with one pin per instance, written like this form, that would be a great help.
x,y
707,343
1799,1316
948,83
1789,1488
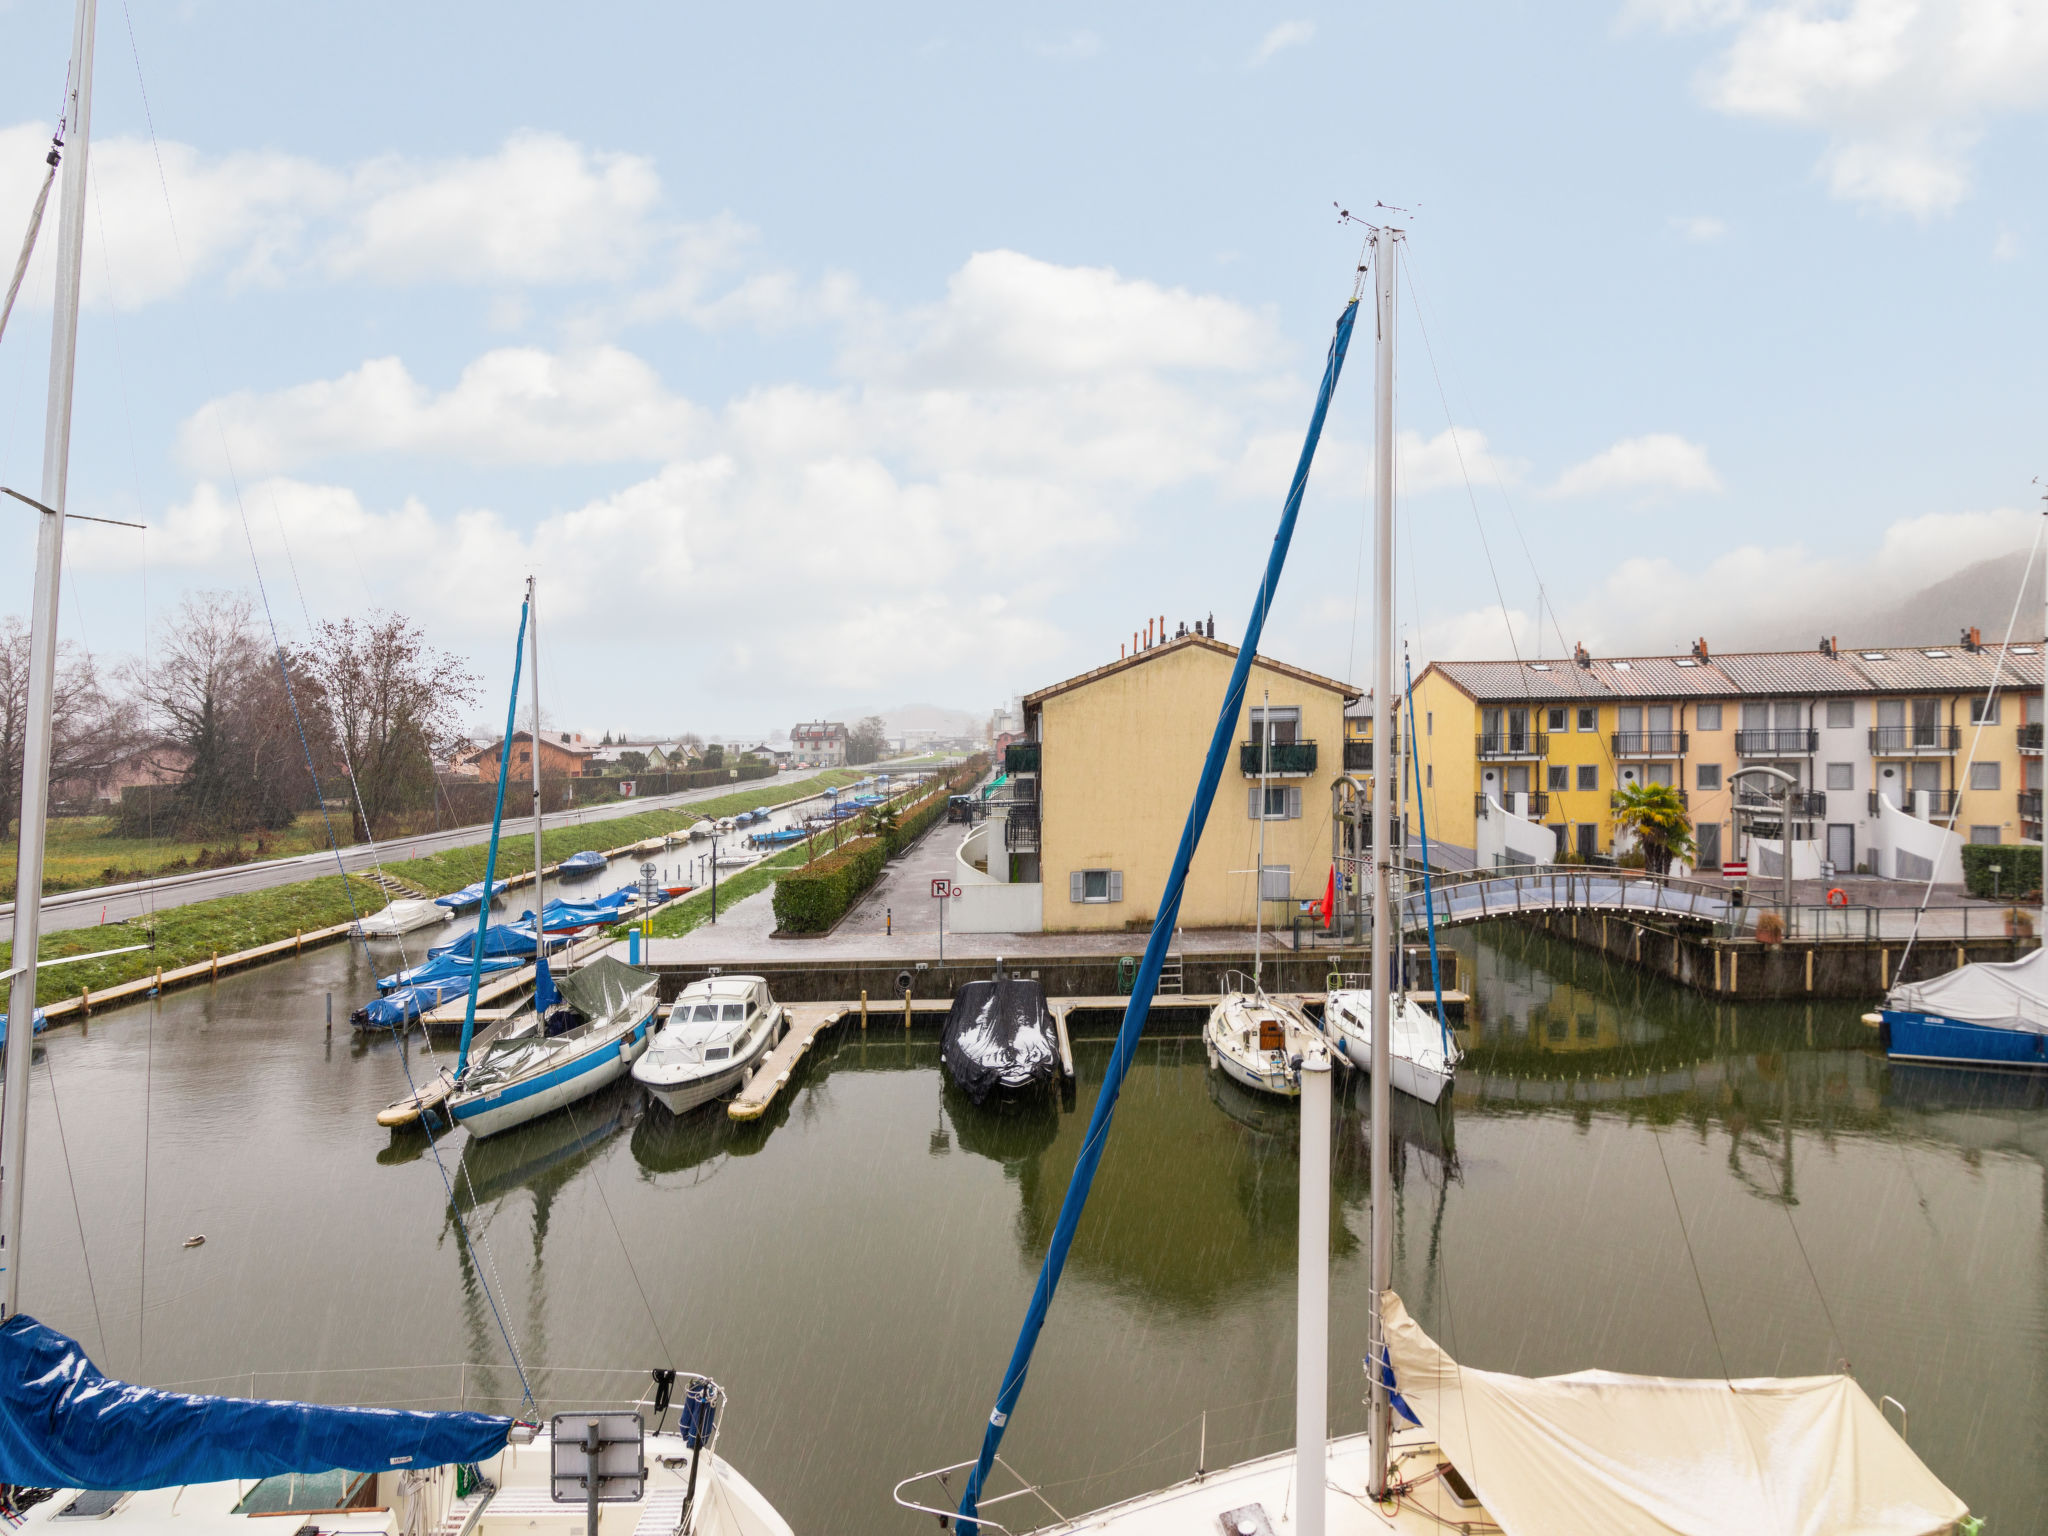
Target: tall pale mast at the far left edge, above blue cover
x,y
44,654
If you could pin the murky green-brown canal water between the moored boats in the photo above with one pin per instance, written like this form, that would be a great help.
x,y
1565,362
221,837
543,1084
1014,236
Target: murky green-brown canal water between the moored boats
x,y
1629,1179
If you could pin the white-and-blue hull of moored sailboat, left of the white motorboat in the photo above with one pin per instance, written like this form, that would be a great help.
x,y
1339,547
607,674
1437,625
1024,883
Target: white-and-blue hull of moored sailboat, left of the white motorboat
x,y
591,1039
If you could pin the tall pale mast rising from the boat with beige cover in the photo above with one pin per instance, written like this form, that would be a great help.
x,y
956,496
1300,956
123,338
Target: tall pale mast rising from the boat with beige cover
x,y
1383,806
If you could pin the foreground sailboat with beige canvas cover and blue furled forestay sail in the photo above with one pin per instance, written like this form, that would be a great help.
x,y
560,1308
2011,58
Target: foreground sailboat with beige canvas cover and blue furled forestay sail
x,y
1478,1451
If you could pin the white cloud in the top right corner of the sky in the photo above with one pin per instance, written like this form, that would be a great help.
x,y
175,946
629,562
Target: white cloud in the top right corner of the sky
x,y
1902,89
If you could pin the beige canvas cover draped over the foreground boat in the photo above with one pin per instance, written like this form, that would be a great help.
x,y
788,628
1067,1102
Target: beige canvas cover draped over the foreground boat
x,y
1607,1453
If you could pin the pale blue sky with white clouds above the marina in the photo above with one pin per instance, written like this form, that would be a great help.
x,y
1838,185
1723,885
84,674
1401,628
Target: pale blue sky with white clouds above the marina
x,y
910,353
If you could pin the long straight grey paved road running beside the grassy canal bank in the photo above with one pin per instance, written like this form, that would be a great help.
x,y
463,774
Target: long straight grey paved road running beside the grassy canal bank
x,y
142,898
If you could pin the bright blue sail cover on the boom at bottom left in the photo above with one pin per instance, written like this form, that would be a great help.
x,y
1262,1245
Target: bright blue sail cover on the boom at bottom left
x,y
67,1426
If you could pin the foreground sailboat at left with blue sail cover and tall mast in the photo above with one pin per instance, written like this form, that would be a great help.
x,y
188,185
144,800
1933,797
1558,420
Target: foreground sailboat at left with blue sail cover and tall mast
x,y
81,1447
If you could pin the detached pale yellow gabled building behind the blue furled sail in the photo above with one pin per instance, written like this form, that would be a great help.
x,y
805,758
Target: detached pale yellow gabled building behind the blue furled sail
x,y
1113,763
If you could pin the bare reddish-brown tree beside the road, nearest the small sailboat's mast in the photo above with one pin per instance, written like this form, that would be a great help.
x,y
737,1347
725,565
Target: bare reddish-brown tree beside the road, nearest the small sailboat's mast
x,y
396,708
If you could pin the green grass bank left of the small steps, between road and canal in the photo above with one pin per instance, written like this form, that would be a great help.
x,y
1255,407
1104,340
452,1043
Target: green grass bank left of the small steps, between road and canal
x,y
196,933
